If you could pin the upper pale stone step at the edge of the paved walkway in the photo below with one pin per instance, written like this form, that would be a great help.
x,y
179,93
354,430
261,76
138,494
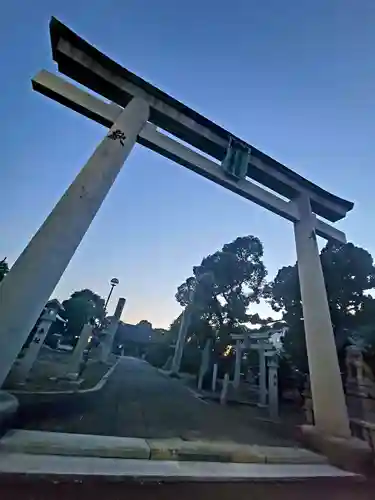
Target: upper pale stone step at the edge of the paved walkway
x,y
154,450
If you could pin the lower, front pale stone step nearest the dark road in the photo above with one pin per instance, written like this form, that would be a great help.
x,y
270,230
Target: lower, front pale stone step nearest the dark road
x,y
78,468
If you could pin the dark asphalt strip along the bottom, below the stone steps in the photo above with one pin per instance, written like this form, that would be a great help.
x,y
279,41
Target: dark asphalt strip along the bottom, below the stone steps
x,y
24,488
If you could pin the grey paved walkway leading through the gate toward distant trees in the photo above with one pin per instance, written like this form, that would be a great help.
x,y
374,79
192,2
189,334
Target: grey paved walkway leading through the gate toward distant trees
x,y
139,401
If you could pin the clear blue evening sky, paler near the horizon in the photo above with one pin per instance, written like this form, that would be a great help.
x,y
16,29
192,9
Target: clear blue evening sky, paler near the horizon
x,y
294,78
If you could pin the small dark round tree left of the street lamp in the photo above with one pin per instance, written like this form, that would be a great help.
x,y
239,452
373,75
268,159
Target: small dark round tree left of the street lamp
x,y
82,306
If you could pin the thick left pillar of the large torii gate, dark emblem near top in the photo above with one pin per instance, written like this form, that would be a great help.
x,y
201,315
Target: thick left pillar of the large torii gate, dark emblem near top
x,y
35,274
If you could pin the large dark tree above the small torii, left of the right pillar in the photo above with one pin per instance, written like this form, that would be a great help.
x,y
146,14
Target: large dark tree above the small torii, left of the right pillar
x,y
238,276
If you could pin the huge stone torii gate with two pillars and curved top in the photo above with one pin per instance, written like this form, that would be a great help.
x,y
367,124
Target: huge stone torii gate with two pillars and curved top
x,y
137,113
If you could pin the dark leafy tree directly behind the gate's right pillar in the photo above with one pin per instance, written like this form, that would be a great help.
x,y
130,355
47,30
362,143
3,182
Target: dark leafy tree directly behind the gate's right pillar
x,y
349,274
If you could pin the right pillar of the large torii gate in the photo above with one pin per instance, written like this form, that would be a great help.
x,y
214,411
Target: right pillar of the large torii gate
x,y
330,413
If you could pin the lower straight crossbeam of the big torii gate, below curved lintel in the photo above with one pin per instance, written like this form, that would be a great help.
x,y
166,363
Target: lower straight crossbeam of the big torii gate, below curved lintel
x,y
106,113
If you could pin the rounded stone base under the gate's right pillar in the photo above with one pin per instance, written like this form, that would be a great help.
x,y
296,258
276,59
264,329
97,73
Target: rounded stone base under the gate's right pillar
x,y
351,454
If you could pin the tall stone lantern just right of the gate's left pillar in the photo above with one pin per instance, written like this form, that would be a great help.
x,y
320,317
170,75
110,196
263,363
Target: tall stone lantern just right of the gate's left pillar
x,y
24,366
